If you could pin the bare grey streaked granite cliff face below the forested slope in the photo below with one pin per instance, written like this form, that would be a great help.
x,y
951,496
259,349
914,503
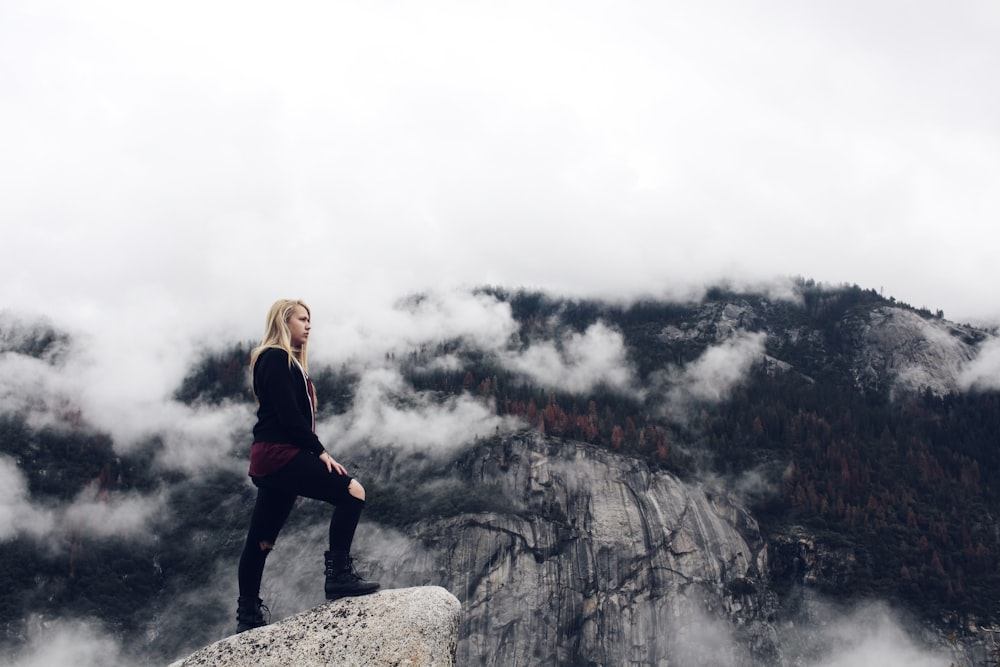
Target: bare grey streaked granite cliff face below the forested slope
x,y
600,561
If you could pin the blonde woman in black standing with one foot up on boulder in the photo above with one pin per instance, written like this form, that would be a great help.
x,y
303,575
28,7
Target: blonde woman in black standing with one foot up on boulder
x,y
287,460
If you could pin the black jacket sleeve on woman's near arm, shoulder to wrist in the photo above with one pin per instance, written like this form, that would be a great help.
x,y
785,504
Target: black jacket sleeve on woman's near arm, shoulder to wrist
x,y
283,389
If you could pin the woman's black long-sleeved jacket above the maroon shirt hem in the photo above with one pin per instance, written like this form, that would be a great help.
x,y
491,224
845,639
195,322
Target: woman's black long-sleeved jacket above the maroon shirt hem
x,y
285,411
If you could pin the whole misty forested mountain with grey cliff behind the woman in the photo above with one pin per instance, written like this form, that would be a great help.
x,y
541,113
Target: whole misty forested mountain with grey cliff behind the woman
x,y
659,480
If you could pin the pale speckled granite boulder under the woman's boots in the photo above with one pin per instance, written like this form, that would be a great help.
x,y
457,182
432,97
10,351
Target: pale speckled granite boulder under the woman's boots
x,y
412,627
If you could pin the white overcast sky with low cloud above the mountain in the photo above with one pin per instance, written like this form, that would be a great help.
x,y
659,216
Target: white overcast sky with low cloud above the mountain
x,y
169,169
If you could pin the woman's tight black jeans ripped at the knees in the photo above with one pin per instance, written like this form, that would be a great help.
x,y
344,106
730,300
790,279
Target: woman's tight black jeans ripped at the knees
x,y
305,475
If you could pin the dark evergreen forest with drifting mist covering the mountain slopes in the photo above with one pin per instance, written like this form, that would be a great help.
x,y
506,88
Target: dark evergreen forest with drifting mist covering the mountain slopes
x,y
908,484
